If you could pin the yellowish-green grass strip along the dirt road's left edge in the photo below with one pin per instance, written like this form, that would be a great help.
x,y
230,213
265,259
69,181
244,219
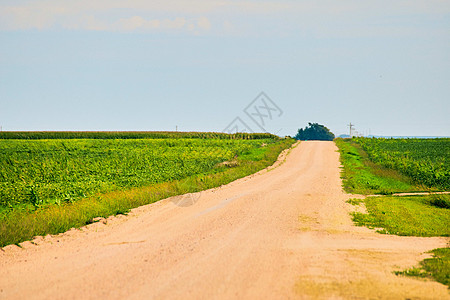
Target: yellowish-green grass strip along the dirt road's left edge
x,y
20,226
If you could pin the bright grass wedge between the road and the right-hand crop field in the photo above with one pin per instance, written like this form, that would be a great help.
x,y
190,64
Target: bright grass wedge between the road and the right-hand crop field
x,y
361,176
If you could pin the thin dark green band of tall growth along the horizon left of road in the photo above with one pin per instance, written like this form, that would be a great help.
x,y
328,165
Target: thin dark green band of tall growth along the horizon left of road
x,y
40,135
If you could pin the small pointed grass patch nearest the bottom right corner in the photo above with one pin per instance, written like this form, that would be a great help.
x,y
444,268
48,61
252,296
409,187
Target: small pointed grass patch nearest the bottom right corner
x,y
437,267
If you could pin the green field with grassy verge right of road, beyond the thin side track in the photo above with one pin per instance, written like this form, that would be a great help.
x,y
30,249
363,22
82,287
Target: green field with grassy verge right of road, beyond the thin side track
x,y
386,166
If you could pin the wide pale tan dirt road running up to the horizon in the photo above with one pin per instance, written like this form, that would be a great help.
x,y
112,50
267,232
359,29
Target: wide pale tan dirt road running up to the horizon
x,y
279,234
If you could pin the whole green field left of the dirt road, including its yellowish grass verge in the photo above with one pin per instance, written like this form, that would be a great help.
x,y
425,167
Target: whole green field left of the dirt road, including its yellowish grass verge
x,y
52,185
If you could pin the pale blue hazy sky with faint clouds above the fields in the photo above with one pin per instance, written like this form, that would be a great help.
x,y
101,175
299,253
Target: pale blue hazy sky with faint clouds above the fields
x,y
207,65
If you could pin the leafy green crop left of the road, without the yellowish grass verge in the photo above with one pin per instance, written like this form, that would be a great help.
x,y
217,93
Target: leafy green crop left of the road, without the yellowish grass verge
x,y
38,172
